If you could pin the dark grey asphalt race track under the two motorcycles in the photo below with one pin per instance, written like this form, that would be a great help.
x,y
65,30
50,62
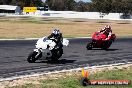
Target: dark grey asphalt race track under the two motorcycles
x,y
13,55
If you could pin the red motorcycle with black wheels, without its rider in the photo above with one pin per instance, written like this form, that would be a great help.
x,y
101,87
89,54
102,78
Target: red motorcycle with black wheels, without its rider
x,y
98,41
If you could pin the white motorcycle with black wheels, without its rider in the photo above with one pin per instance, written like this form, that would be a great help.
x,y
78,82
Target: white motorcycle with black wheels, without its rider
x,y
47,49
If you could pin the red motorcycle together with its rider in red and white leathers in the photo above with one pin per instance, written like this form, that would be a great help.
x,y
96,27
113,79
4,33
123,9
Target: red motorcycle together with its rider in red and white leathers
x,y
102,39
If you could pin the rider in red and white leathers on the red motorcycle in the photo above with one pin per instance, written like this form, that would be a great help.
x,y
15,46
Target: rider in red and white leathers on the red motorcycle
x,y
107,31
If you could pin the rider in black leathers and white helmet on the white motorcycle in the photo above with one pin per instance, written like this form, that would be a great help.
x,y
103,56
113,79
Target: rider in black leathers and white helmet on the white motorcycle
x,y
58,37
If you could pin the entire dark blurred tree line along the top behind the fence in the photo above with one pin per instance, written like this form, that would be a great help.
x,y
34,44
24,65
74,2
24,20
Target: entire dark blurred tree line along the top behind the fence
x,y
104,6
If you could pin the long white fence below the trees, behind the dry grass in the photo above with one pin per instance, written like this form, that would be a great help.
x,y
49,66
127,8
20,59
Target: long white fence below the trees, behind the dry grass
x,y
73,14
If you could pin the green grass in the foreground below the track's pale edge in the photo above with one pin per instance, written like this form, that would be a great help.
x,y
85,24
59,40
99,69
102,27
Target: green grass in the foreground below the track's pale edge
x,y
74,81
